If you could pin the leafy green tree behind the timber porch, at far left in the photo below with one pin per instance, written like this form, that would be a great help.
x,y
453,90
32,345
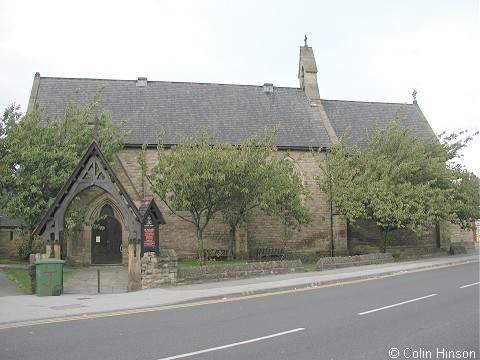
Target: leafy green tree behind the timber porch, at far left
x,y
40,152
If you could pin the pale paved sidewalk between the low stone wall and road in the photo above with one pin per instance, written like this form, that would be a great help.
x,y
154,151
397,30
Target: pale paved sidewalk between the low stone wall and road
x,y
30,307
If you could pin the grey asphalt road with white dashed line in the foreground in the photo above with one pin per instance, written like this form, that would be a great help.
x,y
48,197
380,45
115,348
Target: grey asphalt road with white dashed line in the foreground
x,y
431,314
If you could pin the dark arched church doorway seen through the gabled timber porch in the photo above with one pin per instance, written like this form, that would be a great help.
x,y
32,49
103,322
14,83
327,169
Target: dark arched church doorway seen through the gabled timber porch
x,y
107,238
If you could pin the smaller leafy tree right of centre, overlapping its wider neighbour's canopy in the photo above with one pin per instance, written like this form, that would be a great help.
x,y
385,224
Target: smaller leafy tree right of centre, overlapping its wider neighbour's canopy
x,y
261,178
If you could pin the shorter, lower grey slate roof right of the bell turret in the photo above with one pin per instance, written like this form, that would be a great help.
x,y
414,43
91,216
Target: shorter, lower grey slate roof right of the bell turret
x,y
352,120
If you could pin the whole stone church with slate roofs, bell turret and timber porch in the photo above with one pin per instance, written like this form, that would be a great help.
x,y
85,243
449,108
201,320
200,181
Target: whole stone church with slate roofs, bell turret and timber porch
x,y
131,216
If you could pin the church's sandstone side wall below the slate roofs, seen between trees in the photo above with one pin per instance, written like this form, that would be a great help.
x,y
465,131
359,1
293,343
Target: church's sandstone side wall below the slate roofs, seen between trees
x,y
262,231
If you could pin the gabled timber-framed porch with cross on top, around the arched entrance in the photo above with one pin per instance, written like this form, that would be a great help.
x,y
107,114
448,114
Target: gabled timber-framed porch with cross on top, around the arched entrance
x,y
123,220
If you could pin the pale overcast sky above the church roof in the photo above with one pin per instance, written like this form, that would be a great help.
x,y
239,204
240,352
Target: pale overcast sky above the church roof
x,y
366,50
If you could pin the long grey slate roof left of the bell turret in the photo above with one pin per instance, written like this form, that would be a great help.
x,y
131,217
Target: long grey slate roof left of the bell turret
x,y
232,112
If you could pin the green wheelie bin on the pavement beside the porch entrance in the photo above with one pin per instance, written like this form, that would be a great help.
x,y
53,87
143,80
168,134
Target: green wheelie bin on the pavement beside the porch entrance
x,y
49,277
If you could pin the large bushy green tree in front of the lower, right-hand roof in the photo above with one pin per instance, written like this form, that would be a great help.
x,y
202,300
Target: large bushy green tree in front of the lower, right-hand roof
x,y
399,181
